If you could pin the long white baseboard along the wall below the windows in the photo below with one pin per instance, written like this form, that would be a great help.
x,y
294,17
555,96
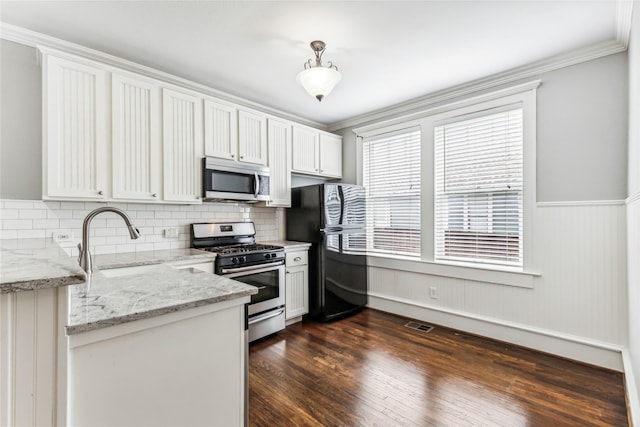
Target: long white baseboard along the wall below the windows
x,y
571,347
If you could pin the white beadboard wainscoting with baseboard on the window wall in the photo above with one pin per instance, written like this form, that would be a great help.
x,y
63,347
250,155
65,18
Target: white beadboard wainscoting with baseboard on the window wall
x,y
577,307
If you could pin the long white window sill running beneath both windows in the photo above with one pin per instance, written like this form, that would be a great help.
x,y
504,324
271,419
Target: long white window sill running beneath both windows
x,y
519,279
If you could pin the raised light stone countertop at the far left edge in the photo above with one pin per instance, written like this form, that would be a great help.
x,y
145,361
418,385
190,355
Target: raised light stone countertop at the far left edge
x,y
31,264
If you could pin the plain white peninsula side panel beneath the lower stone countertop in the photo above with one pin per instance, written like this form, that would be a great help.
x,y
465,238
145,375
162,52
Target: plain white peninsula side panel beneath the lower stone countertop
x,y
184,369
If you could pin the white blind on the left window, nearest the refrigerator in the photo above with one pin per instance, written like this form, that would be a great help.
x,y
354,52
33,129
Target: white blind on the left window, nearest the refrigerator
x,y
391,176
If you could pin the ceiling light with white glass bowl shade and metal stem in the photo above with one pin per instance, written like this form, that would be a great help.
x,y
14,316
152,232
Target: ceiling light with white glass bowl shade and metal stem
x,y
317,79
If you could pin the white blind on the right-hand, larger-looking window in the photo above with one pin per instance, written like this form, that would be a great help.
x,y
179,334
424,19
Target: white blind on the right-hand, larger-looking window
x,y
478,188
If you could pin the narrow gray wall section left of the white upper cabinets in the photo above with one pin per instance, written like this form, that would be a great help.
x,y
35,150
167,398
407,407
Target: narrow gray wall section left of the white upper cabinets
x,y
20,123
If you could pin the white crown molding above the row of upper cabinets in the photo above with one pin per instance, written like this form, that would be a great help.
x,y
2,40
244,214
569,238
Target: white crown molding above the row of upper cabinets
x,y
43,42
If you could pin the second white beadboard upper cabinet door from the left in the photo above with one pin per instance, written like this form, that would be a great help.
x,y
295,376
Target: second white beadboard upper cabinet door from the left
x,y
135,138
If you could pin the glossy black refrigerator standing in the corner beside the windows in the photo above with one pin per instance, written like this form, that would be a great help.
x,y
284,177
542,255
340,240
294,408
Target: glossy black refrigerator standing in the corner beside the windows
x,y
332,218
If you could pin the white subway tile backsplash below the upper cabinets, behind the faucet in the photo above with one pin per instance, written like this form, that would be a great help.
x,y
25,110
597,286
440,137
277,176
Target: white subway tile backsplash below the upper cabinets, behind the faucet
x,y
34,218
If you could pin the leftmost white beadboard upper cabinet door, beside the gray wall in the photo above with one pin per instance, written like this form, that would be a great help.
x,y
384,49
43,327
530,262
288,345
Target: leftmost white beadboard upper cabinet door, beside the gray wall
x,y
75,152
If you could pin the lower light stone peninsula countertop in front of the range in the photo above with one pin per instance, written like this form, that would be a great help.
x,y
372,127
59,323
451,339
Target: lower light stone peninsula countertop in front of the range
x,y
158,290
